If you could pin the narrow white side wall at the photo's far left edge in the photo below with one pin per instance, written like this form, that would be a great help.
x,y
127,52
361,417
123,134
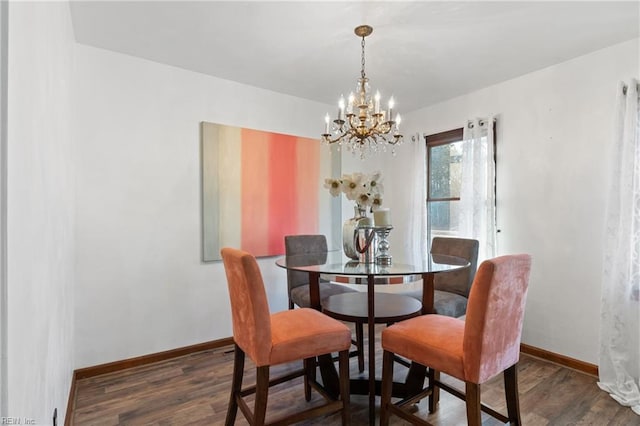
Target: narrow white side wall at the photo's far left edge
x,y
40,214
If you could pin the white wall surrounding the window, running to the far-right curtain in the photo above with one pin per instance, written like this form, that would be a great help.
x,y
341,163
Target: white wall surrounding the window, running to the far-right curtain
x,y
554,136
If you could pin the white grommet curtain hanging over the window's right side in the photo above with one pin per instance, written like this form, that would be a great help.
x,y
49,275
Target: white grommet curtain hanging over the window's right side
x,y
477,190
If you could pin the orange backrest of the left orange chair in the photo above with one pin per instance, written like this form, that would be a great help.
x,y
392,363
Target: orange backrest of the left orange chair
x,y
249,305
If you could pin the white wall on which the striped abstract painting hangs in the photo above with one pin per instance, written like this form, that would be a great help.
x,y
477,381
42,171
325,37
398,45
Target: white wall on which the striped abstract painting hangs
x,y
141,287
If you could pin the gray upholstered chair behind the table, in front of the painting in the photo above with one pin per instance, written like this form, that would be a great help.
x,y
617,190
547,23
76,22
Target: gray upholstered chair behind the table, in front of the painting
x,y
298,282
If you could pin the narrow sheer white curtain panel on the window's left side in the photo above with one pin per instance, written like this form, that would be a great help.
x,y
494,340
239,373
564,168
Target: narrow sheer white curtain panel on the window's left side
x,y
416,241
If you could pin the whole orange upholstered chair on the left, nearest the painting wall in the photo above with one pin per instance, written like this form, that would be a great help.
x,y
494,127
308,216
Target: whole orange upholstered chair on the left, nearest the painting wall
x,y
270,339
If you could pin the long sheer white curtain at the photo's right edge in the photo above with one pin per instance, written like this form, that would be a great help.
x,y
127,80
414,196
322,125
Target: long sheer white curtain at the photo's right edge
x,y
619,364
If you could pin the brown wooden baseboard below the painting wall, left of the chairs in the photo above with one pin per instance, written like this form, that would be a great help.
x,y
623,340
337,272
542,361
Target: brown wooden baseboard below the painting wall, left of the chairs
x,y
110,367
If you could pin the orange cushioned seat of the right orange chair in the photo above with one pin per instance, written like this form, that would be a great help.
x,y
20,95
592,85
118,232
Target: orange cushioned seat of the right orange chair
x,y
433,340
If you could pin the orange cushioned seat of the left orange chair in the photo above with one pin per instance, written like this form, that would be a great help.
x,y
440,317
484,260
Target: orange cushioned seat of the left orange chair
x,y
319,335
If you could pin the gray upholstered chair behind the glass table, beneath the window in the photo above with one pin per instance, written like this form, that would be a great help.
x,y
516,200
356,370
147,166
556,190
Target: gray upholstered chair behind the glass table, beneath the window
x,y
452,288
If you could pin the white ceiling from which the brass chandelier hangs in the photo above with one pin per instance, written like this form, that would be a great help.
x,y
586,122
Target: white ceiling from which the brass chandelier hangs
x,y
421,52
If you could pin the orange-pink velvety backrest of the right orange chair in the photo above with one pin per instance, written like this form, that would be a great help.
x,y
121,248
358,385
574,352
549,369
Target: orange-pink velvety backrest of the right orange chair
x,y
493,326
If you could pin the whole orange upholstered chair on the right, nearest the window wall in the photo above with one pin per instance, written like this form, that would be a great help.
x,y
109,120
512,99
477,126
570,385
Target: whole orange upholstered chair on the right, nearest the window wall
x,y
474,350
